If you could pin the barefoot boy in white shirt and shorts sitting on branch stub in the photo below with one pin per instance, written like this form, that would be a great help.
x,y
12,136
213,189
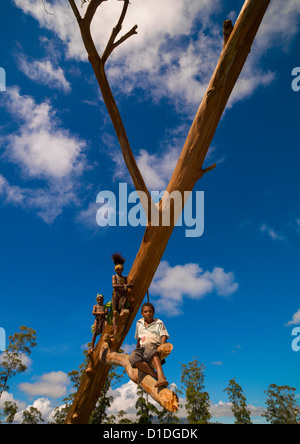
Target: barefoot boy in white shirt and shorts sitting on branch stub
x,y
150,333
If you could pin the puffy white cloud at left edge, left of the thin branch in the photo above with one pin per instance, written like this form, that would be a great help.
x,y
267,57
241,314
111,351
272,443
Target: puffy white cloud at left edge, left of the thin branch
x,y
49,157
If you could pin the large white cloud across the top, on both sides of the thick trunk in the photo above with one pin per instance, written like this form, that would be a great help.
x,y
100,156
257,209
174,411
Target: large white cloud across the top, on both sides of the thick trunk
x,y
177,67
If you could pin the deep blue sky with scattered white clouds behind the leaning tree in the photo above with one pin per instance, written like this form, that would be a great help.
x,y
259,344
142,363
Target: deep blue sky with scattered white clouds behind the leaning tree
x,y
229,297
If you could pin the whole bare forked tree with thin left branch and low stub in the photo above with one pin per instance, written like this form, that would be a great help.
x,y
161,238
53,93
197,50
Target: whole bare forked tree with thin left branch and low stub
x,y
238,40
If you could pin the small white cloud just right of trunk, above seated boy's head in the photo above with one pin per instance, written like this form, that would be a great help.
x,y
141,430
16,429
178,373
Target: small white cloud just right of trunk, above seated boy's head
x,y
171,284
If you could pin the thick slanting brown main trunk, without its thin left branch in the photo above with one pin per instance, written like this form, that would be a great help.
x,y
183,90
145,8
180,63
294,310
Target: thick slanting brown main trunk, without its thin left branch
x,y
188,171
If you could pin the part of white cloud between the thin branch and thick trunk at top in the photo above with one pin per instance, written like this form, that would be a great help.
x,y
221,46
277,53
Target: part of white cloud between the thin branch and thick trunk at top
x,y
163,58
